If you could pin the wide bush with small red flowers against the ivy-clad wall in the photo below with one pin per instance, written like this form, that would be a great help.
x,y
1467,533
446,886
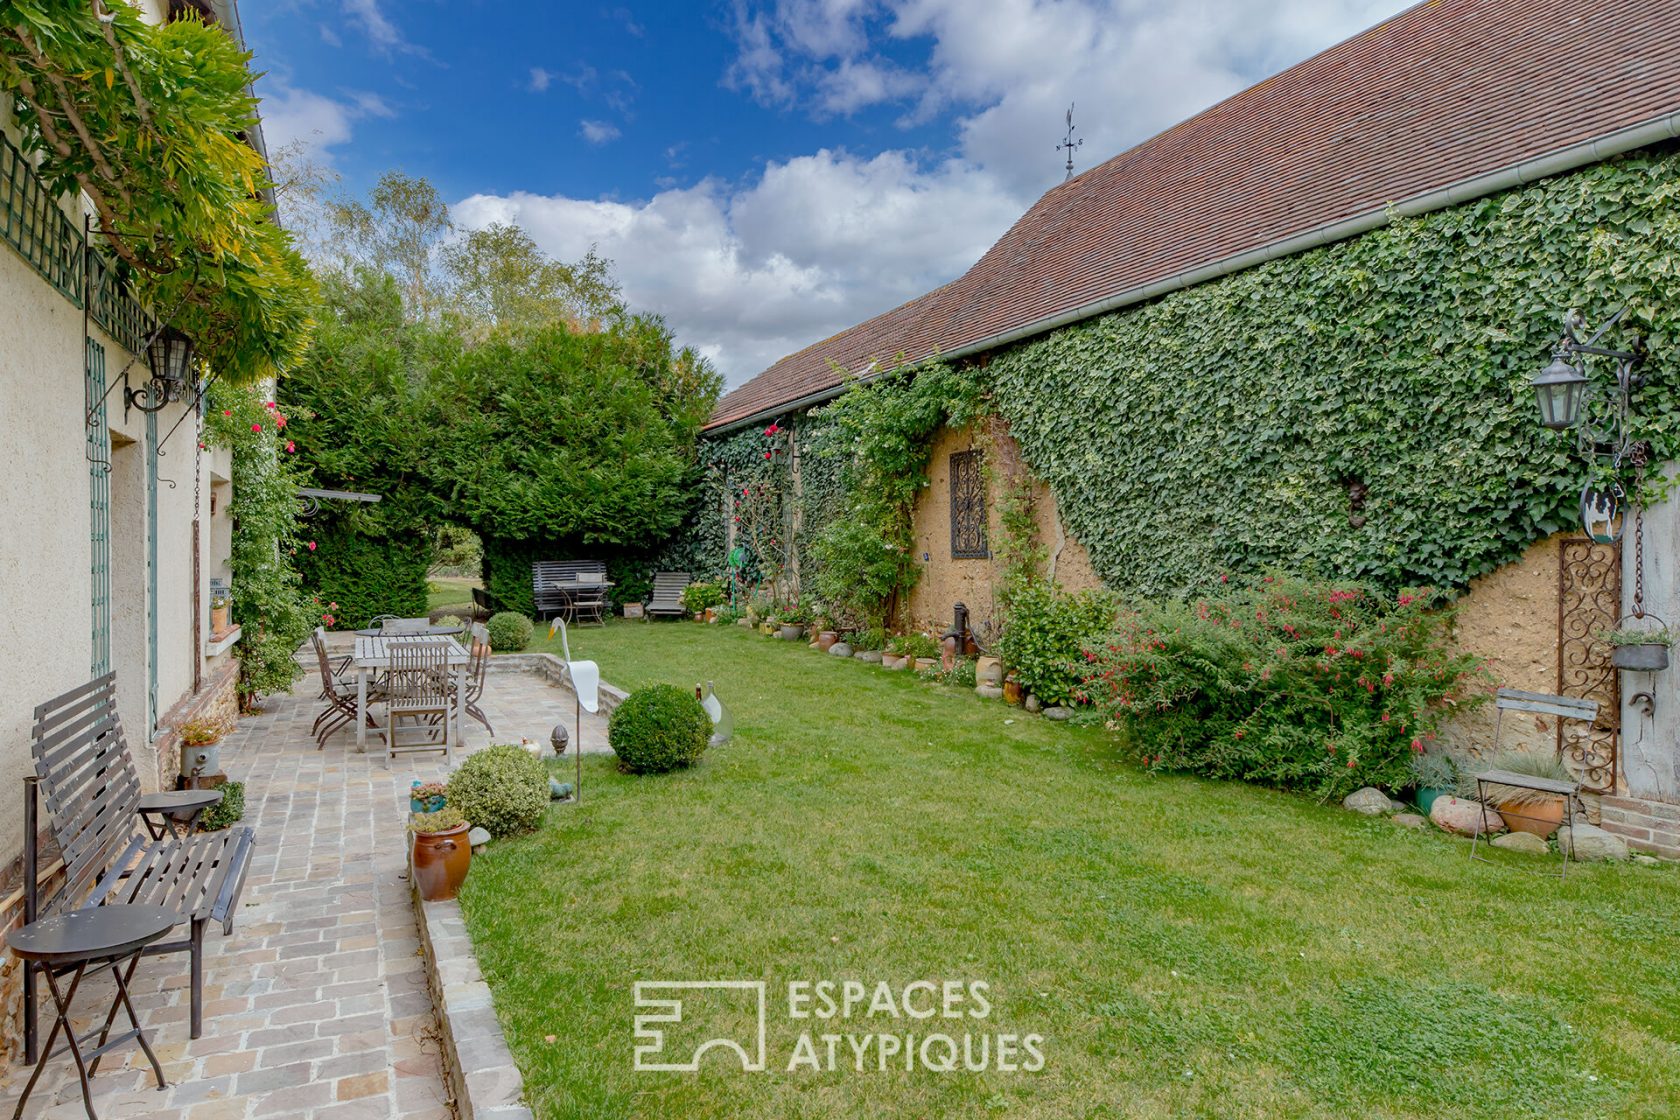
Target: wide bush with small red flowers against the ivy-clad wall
x,y
1301,686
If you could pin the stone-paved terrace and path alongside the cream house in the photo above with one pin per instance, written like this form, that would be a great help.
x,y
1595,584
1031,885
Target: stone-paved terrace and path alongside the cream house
x,y
317,1007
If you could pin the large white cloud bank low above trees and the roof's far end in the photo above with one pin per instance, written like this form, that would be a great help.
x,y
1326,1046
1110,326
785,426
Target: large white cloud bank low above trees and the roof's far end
x,y
752,275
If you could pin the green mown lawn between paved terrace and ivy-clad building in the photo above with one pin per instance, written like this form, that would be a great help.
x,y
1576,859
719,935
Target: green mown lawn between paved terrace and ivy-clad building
x,y
1185,950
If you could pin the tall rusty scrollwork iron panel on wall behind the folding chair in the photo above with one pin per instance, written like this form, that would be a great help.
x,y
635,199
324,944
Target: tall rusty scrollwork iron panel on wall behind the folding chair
x,y
1588,602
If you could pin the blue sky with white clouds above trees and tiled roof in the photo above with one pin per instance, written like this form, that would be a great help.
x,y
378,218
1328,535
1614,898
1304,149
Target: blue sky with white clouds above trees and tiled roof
x,y
760,172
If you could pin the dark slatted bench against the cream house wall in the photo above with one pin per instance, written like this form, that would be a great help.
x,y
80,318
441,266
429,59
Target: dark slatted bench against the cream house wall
x,y
87,777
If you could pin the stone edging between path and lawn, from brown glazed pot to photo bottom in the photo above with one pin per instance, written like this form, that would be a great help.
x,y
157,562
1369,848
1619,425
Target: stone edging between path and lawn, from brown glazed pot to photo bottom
x,y
476,1059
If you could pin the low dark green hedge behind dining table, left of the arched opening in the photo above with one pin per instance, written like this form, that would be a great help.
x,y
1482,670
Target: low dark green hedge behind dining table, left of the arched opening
x,y
365,577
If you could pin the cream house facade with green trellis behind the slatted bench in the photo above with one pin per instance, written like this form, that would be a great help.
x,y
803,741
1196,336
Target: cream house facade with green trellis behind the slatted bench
x,y
117,518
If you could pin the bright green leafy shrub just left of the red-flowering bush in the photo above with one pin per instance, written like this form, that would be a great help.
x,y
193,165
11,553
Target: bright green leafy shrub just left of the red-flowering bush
x,y
1046,634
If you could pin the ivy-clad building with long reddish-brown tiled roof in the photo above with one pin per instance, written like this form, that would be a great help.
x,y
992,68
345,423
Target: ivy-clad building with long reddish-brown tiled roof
x,y
1296,332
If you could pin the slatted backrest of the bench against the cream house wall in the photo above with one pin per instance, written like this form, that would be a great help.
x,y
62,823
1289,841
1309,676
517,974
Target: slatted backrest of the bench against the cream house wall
x,y
88,782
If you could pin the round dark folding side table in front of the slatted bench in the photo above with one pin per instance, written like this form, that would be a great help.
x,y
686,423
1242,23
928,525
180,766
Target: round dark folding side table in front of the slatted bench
x,y
68,945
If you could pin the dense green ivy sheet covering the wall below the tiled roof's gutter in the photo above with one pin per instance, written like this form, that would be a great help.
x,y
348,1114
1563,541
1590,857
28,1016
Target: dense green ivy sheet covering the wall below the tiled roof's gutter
x,y
1217,429
